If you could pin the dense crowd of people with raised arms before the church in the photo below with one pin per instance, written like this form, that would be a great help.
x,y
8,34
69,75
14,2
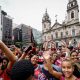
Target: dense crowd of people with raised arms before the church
x,y
61,63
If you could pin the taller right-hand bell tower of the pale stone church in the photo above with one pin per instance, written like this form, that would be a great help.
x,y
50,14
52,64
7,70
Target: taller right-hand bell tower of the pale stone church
x,y
72,12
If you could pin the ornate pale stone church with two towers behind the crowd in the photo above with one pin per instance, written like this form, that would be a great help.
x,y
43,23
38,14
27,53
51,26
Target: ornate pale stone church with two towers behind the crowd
x,y
69,30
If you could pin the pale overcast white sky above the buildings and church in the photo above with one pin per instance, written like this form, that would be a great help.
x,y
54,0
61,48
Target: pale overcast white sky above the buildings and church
x,y
30,12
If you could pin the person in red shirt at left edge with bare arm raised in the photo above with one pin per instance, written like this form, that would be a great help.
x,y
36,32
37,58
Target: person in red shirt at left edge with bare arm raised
x,y
4,71
